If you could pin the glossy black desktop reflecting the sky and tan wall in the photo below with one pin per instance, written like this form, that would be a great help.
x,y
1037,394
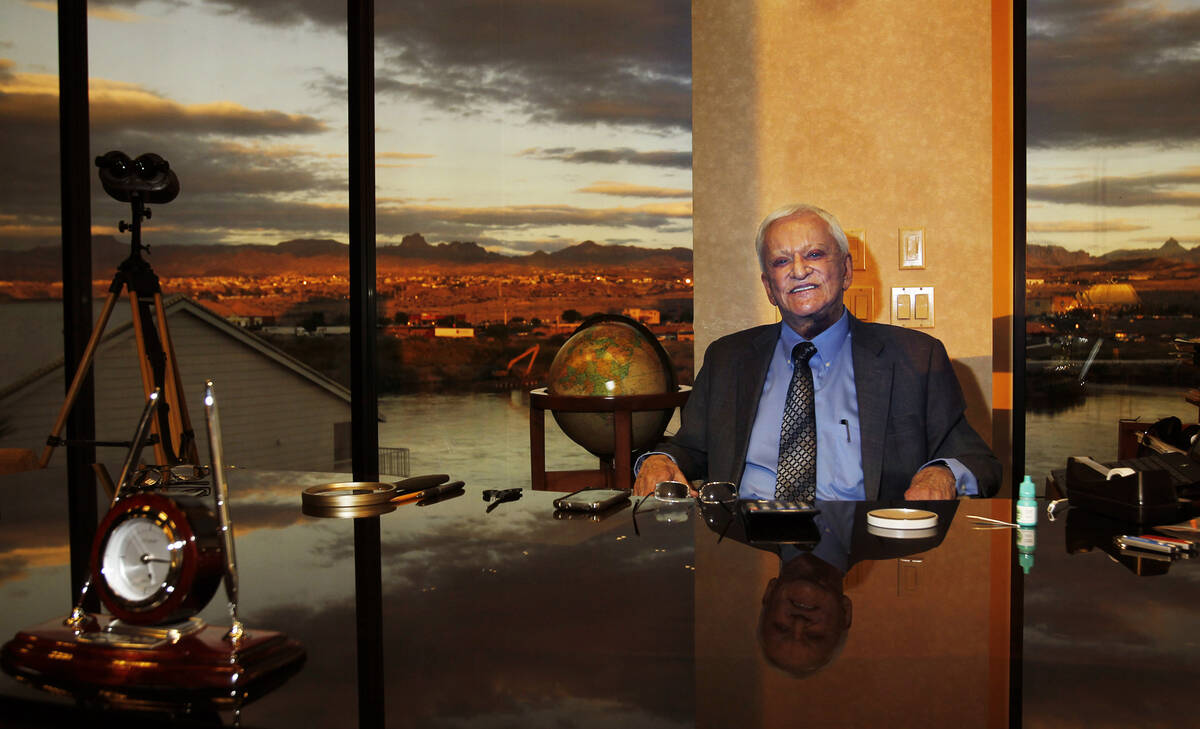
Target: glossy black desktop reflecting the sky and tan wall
x,y
519,619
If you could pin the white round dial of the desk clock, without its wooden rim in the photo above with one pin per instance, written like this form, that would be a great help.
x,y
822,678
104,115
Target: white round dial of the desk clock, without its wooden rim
x,y
140,558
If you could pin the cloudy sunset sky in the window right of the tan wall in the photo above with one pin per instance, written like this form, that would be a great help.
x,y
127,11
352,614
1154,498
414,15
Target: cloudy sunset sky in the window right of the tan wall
x,y
1114,124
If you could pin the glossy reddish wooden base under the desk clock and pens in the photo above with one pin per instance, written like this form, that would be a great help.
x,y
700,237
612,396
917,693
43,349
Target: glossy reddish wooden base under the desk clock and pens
x,y
125,665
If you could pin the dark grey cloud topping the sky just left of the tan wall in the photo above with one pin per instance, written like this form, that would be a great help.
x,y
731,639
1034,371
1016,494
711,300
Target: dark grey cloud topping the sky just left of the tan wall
x,y
555,61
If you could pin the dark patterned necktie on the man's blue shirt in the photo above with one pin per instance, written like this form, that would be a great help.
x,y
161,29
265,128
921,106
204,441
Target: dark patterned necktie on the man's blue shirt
x,y
797,480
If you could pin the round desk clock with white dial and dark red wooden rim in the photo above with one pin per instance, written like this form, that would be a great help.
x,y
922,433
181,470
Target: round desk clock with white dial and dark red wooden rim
x,y
158,559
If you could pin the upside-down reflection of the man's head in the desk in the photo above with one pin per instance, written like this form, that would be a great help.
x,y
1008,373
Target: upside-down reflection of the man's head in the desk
x,y
806,617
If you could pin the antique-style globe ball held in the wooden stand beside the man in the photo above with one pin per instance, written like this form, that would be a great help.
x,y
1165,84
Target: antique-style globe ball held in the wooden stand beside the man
x,y
611,357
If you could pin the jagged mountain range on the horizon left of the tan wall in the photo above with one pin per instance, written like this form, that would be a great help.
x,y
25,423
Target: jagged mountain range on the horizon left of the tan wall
x,y
323,256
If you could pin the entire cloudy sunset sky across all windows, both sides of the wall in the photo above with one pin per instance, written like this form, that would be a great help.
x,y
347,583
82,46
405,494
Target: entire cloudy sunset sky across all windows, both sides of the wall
x,y
537,124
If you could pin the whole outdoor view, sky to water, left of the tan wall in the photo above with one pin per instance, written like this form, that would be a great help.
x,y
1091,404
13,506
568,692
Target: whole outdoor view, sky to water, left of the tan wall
x,y
533,168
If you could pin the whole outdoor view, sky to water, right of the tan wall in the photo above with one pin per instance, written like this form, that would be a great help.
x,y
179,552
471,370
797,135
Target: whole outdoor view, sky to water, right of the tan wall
x,y
1113,255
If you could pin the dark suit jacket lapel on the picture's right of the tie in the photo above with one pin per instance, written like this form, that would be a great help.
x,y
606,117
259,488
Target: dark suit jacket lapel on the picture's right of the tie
x,y
873,384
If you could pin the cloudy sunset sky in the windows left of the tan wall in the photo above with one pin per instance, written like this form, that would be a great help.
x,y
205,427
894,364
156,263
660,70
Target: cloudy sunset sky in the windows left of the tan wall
x,y
524,125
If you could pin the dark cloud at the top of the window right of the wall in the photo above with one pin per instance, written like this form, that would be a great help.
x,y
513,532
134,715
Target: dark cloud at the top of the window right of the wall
x,y
1112,73
